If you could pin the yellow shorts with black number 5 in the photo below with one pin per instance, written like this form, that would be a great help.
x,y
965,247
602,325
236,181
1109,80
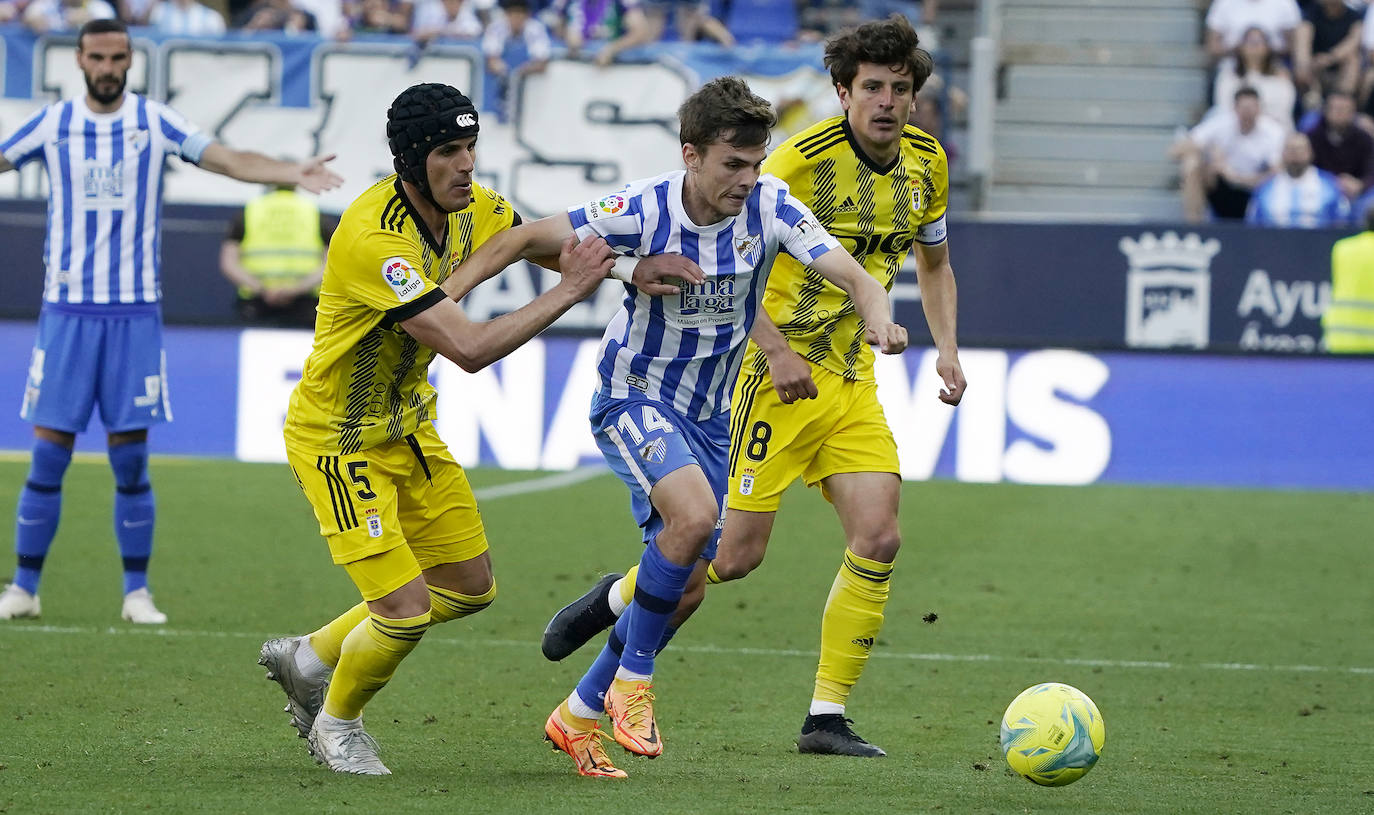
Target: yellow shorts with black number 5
x,y
409,500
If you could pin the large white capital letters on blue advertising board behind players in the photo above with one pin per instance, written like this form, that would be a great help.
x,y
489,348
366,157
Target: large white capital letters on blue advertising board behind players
x,y
502,409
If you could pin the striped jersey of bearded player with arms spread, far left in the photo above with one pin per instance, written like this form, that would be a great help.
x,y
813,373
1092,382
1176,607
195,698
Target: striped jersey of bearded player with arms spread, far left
x,y
105,197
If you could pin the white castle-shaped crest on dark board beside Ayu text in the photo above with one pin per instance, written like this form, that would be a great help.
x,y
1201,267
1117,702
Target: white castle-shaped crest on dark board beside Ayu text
x,y
1169,291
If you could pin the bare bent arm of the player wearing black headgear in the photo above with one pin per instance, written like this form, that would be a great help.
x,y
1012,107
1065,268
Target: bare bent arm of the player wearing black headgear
x,y
476,346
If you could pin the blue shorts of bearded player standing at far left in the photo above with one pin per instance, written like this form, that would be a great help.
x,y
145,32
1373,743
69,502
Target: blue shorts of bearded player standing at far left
x,y
112,358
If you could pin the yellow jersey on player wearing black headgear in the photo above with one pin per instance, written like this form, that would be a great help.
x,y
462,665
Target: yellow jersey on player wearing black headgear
x,y
366,381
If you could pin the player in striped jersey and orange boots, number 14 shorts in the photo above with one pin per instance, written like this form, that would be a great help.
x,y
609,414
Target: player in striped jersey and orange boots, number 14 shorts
x,y
668,364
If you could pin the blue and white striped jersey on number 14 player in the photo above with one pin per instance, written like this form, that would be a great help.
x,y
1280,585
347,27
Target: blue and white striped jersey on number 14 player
x,y
685,351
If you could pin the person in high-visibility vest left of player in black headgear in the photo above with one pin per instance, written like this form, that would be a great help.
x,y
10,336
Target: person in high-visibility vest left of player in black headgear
x,y
274,254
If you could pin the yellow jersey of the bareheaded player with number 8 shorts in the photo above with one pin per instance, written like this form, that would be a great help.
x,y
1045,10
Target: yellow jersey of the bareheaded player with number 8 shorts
x,y
875,212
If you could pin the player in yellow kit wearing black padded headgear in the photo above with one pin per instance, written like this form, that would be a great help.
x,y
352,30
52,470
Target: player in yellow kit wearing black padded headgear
x,y
396,509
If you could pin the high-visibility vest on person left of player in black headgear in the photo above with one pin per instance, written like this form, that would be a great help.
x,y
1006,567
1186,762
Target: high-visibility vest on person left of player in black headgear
x,y
281,240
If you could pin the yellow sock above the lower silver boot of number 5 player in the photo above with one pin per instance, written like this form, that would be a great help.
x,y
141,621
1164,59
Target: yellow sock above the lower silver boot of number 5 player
x,y
369,659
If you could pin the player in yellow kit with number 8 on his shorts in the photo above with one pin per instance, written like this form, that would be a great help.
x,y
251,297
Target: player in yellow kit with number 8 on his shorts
x,y
806,403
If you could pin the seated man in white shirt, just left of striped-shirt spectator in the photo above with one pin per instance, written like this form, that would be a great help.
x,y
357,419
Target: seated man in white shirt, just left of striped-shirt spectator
x,y
1226,157
